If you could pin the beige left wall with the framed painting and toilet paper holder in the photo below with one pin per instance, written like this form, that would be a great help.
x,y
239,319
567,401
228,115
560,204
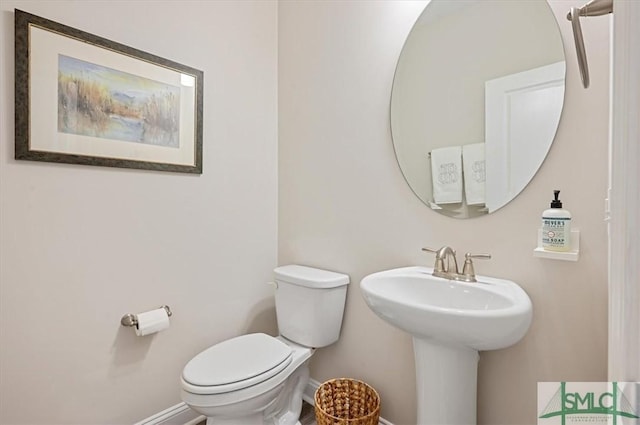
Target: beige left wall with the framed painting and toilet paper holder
x,y
81,246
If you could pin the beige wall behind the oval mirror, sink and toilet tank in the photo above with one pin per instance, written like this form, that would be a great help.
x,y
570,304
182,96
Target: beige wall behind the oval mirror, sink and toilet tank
x,y
344,205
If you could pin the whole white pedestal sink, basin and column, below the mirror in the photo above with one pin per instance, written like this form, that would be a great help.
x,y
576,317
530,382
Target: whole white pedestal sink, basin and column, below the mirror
x,y
450,321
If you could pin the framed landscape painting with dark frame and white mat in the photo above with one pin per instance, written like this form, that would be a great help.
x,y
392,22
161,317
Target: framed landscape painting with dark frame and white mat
x,y
82,99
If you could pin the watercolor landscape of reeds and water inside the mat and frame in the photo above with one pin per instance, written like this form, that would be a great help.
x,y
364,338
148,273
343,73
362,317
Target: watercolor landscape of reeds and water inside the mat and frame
x,y
97,101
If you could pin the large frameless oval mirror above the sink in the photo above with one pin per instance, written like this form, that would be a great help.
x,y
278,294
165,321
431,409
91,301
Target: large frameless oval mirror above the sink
x,y
476,101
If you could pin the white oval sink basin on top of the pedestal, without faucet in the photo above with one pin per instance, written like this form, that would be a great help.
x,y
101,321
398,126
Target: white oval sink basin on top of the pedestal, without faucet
x,y
484,315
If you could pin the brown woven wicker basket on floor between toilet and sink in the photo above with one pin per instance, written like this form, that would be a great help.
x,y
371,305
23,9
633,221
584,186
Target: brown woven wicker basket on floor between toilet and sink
x,y
346,402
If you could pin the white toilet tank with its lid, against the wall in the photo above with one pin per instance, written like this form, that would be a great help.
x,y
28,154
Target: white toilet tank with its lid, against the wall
x,y
310,304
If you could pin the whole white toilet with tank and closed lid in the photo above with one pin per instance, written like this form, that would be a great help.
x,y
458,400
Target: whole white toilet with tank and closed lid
x,y
257,379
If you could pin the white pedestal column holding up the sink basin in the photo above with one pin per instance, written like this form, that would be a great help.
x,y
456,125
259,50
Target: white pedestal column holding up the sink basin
x,y
446,380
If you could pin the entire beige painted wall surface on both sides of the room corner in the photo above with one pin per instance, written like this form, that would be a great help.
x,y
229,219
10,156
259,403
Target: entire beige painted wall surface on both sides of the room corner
x,y
81,246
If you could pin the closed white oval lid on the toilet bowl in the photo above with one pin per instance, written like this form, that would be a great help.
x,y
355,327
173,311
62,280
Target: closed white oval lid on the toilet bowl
x,y
245,358
